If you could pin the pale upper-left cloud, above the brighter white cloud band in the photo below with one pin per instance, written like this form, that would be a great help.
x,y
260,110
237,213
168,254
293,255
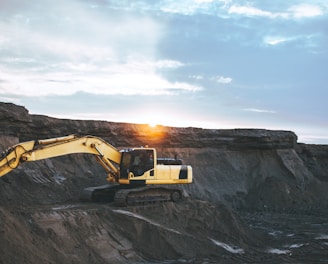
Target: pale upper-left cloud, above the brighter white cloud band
x,y
80,36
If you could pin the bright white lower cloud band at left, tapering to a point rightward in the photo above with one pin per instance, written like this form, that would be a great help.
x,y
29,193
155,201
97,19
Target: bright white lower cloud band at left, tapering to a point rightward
x,y
115,79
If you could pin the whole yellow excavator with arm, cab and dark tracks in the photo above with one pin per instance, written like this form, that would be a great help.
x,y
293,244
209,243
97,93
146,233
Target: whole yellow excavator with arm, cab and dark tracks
x,y
135,175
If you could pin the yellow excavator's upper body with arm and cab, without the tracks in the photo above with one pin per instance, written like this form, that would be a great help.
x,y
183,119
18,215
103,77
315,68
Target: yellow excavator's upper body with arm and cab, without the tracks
x,y
137,165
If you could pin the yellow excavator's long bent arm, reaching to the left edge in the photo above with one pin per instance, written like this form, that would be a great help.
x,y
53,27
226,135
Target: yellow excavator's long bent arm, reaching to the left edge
x,y
107,155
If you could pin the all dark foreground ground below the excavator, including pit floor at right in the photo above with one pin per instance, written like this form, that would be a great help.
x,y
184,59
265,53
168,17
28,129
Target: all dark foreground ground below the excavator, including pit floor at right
x,y
188,232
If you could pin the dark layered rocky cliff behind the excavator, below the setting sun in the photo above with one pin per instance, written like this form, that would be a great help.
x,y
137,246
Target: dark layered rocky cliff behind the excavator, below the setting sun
x,y
247,168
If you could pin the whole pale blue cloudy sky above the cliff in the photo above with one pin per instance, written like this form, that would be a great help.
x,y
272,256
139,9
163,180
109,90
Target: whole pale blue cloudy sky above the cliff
x,y
216,64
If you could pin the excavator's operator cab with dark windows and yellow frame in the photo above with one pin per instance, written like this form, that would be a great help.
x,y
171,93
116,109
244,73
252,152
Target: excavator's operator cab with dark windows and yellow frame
x,y
136,163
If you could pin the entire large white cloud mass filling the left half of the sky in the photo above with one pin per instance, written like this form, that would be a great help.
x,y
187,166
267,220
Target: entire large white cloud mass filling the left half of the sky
x,y
73,48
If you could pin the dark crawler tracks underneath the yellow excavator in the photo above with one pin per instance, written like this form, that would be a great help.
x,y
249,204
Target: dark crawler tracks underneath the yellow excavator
x,y
130,195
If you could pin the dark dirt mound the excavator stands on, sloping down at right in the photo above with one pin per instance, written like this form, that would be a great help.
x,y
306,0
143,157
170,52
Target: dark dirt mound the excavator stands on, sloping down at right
x,y
93,233
